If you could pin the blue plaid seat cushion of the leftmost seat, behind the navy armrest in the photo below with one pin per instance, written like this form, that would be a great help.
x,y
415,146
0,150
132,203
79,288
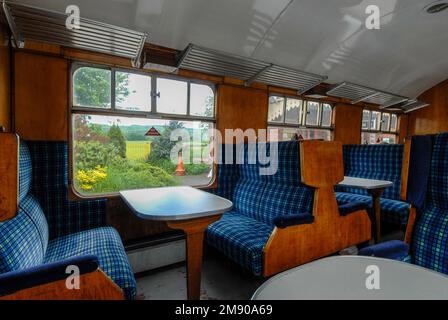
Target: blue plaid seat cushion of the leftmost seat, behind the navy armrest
x,y
104,243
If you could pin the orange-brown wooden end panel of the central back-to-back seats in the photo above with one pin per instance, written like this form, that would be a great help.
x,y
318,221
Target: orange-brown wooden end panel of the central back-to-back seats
x,y
322,169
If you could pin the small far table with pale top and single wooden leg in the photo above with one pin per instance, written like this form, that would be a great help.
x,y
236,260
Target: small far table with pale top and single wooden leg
x,y
375,188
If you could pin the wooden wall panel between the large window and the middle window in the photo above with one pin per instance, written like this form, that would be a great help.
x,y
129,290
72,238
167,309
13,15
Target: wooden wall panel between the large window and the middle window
x,y
241,108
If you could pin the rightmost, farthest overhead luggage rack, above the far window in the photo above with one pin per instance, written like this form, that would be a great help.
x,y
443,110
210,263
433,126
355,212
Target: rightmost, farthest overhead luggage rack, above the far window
x,y
357,93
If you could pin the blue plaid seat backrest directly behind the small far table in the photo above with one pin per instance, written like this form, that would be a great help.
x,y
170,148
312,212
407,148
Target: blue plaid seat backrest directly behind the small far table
x,y
380,162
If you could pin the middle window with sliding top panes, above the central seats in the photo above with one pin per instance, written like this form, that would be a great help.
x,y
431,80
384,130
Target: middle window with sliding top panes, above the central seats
x,y
299,119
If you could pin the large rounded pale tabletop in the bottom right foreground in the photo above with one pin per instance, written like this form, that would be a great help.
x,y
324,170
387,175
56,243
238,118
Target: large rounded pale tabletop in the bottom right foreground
x,y
355,278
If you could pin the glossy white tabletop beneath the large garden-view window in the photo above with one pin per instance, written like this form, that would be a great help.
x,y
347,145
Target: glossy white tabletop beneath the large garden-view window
x,y
174,203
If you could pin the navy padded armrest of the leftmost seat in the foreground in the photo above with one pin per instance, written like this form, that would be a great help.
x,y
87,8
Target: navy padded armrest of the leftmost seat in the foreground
x,y
12,282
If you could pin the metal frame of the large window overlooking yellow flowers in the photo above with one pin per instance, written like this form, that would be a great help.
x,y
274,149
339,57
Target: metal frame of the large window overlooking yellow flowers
x,y
112,111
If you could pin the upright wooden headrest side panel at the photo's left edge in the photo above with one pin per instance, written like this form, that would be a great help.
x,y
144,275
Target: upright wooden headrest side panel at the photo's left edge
x,y
9,171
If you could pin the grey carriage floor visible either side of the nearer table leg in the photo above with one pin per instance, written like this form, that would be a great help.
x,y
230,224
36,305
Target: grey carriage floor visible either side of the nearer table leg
x,y
221,280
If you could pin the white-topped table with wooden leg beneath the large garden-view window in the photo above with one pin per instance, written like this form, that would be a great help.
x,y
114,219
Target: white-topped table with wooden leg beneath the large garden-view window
x,y
182,208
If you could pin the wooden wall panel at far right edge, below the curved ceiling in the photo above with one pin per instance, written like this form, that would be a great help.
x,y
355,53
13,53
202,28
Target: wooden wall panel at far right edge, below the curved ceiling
x,y
432,119
